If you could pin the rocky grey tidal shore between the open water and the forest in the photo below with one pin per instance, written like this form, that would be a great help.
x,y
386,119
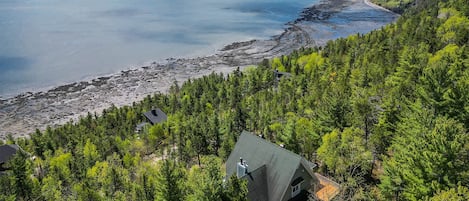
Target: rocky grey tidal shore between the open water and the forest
x,y
316,25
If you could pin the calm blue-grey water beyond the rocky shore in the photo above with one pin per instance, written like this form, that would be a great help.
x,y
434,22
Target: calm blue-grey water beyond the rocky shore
x,y
49,42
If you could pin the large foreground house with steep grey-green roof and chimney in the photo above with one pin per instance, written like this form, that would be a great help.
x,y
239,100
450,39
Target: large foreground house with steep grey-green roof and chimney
x,y
273,173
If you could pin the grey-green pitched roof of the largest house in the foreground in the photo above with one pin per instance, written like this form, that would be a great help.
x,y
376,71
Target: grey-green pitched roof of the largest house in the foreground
x,y
280,163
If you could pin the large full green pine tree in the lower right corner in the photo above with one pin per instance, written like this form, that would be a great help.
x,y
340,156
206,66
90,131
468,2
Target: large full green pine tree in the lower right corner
x,y
430,155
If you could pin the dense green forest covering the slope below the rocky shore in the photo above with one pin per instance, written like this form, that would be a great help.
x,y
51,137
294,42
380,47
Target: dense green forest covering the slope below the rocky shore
x,y
385,114
